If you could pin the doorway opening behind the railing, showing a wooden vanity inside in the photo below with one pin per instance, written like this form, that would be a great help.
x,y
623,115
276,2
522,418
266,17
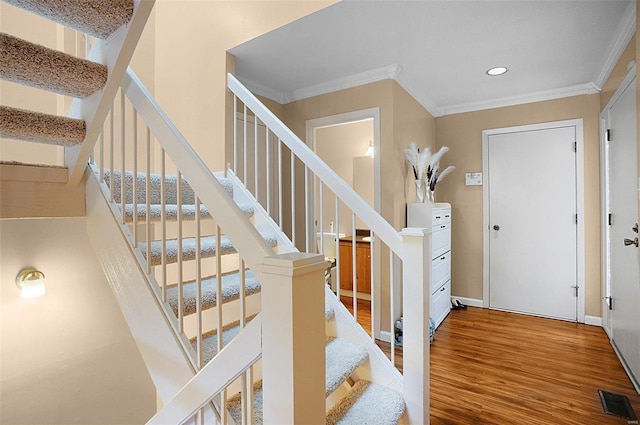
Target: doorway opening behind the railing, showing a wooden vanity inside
x,y
349,144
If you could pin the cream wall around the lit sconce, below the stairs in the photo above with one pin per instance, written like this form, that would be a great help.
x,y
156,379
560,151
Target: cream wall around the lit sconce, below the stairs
x,y
67,357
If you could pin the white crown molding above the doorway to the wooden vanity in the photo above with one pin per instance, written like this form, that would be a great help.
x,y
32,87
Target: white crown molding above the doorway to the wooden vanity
x,y
367,77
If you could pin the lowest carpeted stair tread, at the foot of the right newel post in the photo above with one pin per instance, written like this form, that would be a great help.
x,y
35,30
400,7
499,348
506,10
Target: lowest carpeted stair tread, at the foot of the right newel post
x,y
367,404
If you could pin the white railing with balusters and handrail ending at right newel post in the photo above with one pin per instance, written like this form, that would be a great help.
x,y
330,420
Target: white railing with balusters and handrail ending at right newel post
x,y
269,159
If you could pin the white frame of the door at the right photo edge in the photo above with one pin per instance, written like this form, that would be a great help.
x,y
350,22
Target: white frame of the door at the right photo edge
x,y
605,199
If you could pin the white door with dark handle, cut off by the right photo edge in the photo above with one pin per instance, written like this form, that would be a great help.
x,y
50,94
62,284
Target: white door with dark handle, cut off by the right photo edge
x,y
623,206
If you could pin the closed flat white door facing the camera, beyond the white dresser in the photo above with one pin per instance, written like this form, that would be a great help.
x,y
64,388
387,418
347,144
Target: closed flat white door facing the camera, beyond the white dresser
x,y
532,231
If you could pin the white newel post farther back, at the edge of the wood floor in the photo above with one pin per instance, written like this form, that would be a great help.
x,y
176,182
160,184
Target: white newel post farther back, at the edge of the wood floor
x,y
416,290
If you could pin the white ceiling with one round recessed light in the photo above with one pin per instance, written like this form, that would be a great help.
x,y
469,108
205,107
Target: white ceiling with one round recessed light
x,y
439,50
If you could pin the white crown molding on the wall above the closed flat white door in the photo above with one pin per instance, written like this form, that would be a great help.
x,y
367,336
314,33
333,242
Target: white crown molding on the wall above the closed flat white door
x,y
578,90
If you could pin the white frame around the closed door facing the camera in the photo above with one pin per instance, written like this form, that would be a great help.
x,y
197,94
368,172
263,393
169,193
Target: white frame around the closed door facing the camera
x,y
580,254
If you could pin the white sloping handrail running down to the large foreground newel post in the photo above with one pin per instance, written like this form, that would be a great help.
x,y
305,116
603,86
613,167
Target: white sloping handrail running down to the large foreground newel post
x,y
240,232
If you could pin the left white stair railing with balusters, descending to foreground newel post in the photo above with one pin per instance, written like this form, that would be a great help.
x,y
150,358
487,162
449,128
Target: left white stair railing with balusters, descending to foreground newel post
x,y
165,199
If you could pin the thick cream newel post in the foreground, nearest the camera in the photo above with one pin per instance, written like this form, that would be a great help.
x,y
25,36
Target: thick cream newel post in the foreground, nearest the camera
x,y
293,338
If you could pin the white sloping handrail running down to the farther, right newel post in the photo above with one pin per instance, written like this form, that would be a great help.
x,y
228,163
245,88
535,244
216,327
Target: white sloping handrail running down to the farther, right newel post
x,y
381,227
